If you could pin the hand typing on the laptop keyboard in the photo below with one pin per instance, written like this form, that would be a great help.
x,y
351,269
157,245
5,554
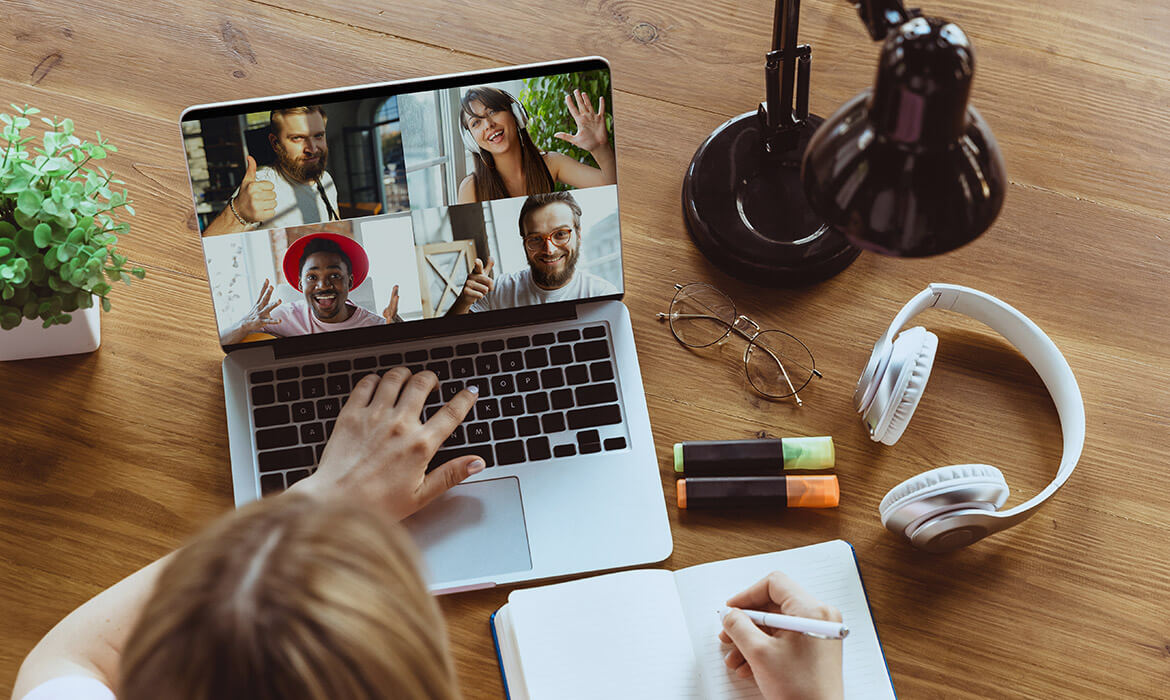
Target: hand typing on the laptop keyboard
x,y
381,448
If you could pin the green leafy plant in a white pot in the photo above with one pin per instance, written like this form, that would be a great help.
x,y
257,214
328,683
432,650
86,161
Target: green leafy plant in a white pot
x,y
58,238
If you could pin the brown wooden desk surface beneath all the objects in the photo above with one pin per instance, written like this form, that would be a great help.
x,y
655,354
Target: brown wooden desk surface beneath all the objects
x,y
109,461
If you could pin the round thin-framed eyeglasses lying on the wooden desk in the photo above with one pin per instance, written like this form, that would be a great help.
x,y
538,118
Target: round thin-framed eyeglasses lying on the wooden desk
x,y
779,366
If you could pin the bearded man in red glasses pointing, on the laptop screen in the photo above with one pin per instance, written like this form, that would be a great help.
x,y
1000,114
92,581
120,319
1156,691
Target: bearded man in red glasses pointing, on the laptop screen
x,y
552,228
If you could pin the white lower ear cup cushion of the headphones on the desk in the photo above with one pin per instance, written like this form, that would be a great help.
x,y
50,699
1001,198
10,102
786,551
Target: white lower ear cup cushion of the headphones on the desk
x,y
939,491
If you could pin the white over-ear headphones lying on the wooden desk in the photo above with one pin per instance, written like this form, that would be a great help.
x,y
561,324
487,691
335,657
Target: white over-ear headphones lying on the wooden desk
x,y
952,507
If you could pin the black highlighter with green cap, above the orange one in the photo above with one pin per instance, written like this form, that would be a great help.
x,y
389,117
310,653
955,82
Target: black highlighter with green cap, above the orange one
x,y
767,457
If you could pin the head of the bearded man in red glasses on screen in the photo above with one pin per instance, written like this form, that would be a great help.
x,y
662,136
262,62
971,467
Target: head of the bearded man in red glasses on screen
x,y
552,229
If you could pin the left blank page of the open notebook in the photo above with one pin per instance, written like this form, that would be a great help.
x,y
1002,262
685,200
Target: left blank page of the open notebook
x,y
616,636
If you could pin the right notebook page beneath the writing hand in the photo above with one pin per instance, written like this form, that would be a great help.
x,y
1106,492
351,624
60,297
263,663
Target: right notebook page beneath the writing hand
x,y
828,571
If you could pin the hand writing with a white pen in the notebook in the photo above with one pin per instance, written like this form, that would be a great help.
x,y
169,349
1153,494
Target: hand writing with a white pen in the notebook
x,y
784,664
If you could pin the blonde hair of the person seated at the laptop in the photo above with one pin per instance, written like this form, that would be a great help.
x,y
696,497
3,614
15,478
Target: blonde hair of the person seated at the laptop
x,y
291,599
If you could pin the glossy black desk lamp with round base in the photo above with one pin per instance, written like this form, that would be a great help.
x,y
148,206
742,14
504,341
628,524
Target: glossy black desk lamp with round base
x,y
784,198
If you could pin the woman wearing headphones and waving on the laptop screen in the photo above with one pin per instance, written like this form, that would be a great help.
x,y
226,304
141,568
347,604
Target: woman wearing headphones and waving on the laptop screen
x,y
507,162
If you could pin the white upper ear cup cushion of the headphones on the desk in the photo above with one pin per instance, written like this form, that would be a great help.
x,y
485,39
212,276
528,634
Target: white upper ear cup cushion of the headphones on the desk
x,y
906,379
